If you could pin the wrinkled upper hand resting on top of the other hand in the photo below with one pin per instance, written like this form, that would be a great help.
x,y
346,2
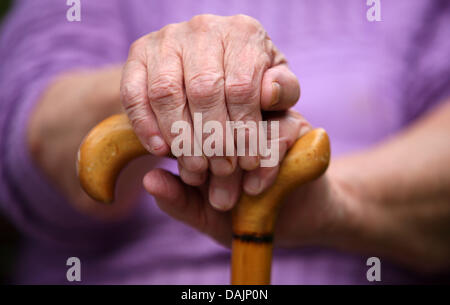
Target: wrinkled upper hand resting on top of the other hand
x,y
226,68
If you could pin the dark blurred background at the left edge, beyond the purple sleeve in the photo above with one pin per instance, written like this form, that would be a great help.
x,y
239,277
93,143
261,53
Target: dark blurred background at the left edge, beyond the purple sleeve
x,y
9,237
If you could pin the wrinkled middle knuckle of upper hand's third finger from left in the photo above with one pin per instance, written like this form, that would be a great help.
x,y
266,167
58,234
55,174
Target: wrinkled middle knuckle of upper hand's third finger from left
x,y
205,87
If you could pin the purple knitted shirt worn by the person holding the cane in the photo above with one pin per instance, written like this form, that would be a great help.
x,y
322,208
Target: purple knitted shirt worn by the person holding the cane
x,y
362,81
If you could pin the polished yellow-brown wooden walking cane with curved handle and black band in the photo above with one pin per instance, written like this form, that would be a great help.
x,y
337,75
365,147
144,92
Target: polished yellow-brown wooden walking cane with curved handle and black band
x,y
112,144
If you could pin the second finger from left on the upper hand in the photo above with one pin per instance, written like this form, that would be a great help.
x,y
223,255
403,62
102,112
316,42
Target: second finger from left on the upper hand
x,y
168,100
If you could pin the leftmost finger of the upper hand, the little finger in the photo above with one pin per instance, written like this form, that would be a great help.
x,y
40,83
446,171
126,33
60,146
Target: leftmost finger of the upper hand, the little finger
x,y
134,98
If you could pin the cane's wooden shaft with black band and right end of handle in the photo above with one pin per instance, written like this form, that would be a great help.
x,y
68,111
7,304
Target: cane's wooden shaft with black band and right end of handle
x,y
254,217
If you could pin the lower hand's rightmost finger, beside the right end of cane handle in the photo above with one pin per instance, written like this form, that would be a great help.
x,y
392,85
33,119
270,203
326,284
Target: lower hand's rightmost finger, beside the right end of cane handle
x,y
291,126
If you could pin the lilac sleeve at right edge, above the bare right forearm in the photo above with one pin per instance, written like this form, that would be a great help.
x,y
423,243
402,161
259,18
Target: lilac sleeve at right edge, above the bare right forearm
x,y
426,72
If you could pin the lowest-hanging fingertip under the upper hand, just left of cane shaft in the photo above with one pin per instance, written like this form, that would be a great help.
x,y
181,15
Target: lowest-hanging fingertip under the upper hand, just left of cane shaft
x,y
224,191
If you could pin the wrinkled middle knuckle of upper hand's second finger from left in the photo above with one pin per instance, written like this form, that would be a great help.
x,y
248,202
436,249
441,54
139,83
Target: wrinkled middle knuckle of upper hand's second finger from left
x,y
165,91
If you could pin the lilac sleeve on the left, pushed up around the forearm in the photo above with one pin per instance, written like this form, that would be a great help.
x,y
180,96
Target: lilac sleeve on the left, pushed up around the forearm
x,y
37,44
